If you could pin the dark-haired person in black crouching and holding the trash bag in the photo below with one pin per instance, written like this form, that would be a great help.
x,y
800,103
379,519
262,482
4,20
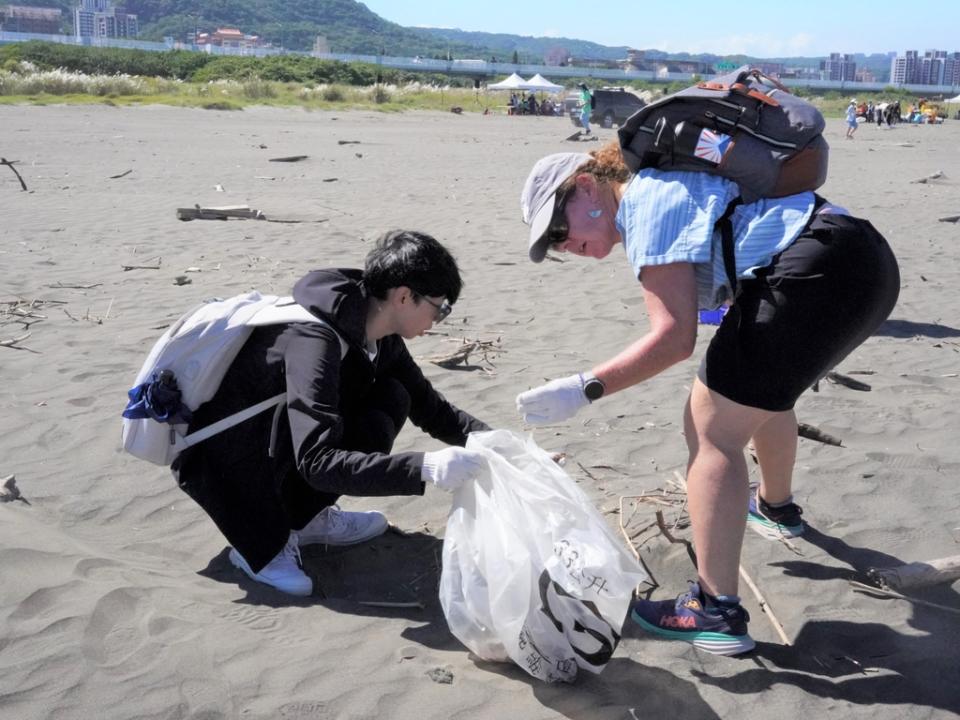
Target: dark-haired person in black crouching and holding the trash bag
x,y
271,483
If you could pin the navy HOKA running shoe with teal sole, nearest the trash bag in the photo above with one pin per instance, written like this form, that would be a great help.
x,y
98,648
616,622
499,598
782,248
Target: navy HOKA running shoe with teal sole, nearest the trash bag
x,y
719,628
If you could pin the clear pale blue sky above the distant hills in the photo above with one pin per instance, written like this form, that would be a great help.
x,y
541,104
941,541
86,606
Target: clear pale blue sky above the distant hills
x,y
775,28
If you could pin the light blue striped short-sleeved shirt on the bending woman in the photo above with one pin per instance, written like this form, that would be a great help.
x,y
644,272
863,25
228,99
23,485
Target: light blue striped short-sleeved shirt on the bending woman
x,y
668,217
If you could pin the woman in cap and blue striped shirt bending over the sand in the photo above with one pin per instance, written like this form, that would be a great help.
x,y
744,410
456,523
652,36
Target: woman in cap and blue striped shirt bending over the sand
x,y
812,284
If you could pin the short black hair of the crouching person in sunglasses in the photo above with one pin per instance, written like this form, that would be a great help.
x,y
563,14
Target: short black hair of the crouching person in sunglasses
x,y
415,260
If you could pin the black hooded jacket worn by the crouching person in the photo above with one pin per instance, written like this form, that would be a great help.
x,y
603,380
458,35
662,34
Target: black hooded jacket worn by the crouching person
x,y
305,360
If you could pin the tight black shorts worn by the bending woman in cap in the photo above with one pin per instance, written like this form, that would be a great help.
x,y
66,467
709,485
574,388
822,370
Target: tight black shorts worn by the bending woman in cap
x,y
802,314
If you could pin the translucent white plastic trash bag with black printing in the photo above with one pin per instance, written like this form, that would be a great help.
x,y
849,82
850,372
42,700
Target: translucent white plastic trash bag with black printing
x,y
531,572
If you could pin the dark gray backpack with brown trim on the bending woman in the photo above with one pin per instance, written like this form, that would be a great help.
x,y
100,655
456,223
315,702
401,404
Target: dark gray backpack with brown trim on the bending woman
x,y
743,126
